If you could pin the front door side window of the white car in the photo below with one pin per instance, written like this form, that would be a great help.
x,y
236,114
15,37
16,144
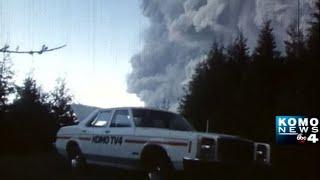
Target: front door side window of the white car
x,y
121,118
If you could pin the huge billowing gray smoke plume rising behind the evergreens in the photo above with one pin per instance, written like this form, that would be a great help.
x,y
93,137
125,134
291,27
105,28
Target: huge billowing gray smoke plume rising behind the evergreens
x,y
182,31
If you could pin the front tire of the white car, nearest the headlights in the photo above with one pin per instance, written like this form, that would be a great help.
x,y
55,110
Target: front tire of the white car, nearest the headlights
x,y
160,169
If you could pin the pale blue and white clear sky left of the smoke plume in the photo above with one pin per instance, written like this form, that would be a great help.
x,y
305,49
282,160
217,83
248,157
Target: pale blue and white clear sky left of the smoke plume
x,y
101,37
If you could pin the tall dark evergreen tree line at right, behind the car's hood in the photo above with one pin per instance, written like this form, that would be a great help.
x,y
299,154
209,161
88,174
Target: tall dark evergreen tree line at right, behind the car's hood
x,y
241,91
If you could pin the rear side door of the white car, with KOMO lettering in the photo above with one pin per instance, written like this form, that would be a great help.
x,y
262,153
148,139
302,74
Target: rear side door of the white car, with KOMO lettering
x,y
94,135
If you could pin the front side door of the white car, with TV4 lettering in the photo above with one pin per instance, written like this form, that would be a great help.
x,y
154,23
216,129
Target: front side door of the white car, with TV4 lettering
x,y
120,128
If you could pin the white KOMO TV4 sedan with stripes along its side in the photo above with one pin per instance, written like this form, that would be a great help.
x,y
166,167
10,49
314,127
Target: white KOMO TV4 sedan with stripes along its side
x,y
156,141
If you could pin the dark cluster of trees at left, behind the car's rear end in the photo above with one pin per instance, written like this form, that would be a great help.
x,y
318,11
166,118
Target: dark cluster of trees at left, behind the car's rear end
x,y
29,116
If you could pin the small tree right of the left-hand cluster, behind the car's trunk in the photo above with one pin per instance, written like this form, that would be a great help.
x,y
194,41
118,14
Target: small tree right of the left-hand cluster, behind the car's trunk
x,y
61,102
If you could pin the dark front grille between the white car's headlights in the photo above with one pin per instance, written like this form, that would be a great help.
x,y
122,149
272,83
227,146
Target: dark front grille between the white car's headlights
x,y
235,150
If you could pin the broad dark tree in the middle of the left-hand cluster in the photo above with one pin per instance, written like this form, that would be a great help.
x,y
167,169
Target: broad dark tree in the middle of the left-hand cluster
x,y
31,122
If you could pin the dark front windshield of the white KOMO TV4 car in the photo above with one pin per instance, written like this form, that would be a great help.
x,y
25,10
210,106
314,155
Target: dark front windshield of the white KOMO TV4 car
x,y
160,119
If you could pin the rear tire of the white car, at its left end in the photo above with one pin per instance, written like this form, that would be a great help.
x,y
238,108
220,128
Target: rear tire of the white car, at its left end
x,y
77,161
